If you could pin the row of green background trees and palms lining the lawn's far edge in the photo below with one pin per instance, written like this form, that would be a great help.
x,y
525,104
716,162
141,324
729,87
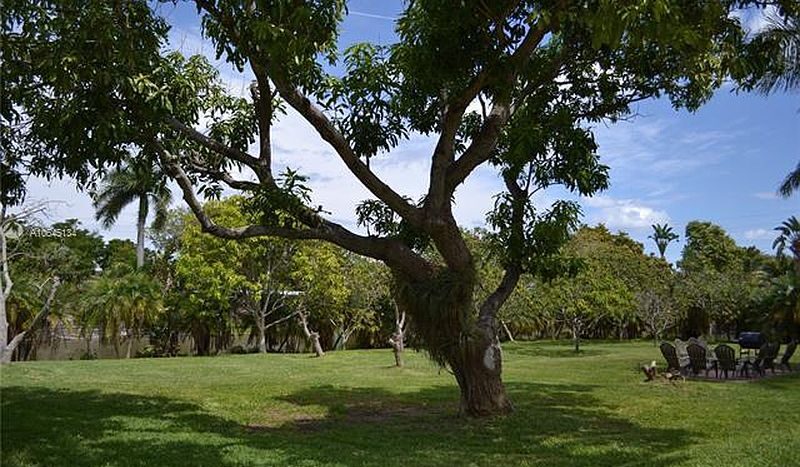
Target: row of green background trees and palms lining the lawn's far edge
x,y
284,296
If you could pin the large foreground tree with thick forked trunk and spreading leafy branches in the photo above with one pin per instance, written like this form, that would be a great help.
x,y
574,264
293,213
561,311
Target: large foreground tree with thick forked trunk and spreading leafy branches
x,y
539,73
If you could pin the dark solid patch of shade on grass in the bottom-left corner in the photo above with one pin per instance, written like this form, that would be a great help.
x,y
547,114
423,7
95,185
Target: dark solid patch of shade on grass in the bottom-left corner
x,y
47,427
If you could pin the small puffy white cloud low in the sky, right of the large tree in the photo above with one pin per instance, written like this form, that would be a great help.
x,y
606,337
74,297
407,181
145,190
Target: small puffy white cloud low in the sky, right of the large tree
x,y
622,214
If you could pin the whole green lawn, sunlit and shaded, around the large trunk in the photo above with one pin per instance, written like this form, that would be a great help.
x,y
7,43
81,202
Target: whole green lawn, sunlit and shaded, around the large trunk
x,y
353,408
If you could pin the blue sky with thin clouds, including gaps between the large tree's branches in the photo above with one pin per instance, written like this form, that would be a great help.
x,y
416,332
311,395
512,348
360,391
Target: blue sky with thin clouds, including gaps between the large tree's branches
x,y
722,163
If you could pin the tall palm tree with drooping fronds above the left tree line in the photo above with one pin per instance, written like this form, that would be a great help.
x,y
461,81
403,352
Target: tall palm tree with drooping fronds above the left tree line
x,y
125,184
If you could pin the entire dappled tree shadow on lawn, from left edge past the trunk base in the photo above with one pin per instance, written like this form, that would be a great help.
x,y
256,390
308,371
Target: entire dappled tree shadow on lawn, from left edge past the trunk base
x,y
554,425
